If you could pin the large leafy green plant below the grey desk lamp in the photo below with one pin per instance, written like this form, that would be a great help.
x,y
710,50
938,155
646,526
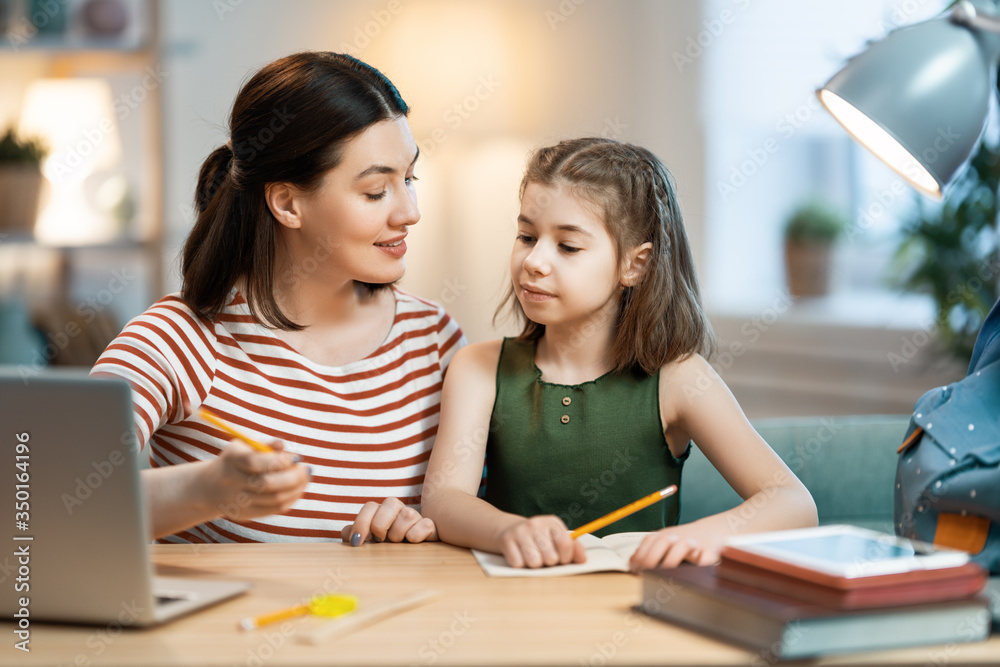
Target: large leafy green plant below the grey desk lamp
x,y
951,251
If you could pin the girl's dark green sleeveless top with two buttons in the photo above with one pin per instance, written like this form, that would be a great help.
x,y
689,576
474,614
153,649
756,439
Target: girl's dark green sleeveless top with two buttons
x,y
578,451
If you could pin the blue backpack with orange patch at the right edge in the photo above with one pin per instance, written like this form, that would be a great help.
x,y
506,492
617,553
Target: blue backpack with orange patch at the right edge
x,y
948,473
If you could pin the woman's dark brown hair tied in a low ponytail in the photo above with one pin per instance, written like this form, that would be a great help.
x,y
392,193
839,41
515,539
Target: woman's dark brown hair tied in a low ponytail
x,y
289,124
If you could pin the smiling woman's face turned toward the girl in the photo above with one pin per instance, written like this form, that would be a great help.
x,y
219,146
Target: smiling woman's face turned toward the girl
x,y
353,225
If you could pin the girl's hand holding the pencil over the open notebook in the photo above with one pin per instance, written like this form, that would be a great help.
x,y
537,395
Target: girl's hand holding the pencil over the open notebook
x,y
539,541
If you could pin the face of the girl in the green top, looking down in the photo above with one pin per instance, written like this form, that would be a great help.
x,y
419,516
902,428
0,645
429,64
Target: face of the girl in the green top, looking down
x,y
563,265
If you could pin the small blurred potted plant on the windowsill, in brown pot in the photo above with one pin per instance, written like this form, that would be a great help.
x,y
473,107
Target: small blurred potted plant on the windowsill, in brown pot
x,y
810,234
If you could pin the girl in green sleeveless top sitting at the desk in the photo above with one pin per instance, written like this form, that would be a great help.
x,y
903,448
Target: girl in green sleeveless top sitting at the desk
x,y
595,404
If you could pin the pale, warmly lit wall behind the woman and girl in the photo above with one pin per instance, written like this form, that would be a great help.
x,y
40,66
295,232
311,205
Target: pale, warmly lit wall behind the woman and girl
x,y
487,82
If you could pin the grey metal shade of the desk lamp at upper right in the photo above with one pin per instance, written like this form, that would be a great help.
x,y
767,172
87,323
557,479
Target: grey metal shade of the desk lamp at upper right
x,y
918,99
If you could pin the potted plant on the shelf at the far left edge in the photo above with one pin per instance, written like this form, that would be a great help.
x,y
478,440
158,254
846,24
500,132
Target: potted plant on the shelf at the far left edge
x,y
20,183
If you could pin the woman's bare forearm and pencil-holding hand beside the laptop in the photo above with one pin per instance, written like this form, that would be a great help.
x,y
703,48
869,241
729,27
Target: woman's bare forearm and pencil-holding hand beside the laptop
x,y
240,484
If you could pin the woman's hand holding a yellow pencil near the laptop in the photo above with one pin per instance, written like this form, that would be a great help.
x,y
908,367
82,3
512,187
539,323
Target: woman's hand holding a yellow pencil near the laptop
x,y
243,484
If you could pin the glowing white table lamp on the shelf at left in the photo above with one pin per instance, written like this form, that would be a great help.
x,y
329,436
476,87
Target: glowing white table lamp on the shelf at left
x,y
75,117
